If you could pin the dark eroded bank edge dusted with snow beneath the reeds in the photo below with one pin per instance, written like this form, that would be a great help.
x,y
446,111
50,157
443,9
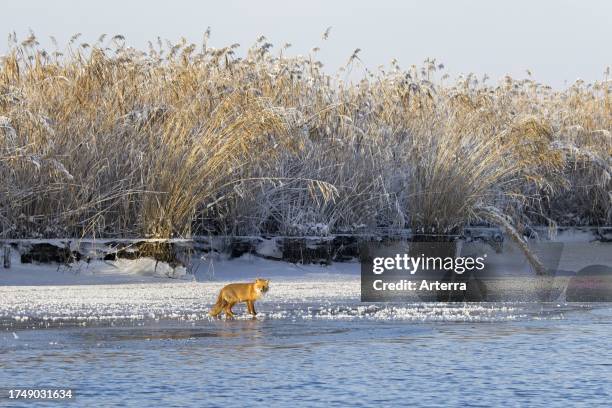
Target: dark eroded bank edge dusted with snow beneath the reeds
x,y
326,249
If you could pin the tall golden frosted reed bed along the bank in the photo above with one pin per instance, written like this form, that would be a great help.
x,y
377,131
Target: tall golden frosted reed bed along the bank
x,y
104,140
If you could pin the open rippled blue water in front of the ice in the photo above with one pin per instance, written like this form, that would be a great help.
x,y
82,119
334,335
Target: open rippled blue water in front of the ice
x,y
545,358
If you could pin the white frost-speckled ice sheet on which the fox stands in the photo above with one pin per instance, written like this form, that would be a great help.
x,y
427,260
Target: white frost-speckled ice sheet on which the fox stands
x,y
331,298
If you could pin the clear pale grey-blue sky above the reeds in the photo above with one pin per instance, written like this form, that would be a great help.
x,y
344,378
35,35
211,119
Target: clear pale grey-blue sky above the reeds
x,y
559,41
